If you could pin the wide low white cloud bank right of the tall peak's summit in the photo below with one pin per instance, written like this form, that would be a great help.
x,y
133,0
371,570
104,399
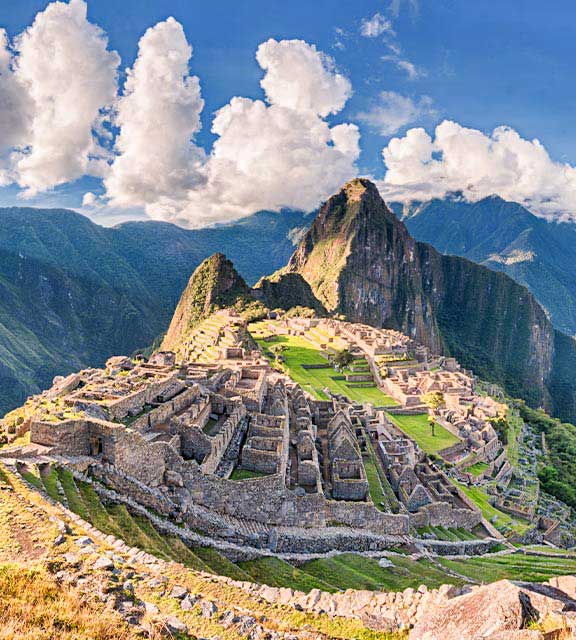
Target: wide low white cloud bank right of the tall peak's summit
x,y
420,167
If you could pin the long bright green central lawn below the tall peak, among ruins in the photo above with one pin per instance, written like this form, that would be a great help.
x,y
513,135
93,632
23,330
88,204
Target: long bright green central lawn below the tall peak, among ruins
x,y
300,351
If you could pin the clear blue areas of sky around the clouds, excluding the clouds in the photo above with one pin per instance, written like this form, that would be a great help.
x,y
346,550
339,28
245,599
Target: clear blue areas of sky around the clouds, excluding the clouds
x,y
481,64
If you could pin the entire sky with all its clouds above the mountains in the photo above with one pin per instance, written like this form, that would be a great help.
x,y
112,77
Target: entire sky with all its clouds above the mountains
x,y
204,112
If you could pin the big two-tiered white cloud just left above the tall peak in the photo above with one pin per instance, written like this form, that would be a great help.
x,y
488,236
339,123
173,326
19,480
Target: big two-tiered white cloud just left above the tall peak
x,y
282,153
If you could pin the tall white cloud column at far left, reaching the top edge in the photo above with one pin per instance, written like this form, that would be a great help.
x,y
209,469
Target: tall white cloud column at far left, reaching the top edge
x,y
70,77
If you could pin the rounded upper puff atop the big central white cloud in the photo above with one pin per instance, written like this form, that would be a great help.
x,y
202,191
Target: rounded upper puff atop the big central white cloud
x,y
300,77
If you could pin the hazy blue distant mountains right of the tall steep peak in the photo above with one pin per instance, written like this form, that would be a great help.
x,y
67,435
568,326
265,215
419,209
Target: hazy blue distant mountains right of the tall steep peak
x,y
504,236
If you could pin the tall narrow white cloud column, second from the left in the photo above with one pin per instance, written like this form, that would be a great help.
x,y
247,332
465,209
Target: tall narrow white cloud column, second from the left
x,y
158,116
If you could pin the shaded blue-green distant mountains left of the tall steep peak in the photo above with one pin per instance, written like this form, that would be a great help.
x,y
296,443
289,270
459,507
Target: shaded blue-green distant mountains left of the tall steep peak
x,y
72,293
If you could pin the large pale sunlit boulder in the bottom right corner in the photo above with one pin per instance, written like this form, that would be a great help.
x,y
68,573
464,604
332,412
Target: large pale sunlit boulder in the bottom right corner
x,y
490,611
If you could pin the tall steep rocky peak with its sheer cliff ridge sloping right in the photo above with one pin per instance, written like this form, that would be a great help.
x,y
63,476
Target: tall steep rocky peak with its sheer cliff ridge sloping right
x,y
360,260
